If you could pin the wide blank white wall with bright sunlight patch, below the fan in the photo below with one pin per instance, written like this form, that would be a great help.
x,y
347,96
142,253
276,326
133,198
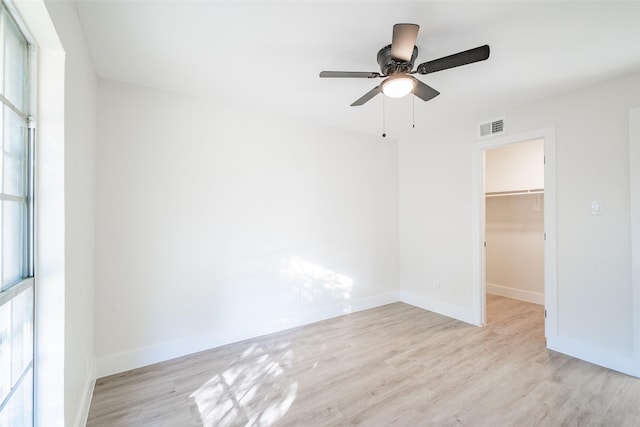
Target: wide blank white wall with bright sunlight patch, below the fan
x,y
216,223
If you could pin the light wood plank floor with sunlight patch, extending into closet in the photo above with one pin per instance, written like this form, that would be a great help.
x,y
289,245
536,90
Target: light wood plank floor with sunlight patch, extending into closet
x,y
392,365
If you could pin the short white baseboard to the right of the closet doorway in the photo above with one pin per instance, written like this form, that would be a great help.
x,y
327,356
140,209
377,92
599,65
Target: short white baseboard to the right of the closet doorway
x,y
596,355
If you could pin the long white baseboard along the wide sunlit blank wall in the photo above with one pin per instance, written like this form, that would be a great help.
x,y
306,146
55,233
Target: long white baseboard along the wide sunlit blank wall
x,y
137,358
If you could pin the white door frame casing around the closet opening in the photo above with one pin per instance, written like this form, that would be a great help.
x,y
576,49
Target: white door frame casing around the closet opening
x,y
478,223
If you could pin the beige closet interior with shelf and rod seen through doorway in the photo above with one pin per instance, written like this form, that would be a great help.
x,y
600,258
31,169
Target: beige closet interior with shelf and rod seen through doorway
x,y
514,221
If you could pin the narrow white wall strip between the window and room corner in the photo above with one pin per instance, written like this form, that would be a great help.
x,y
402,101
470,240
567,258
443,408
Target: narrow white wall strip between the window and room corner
x,y
79,191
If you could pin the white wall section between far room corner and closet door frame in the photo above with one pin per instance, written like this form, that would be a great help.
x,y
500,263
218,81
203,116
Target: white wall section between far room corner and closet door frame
x,y
435,221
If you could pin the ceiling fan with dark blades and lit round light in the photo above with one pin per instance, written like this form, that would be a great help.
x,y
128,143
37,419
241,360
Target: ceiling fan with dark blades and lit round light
x,y
396,65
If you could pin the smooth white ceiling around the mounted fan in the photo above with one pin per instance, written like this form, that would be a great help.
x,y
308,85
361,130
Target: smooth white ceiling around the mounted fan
x,y
267,55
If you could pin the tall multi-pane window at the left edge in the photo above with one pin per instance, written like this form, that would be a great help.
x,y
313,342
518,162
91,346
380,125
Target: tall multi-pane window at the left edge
x,y
16,228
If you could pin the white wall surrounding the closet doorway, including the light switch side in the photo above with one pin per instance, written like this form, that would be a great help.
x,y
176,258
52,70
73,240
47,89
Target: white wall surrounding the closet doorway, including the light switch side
x,y
594,298
